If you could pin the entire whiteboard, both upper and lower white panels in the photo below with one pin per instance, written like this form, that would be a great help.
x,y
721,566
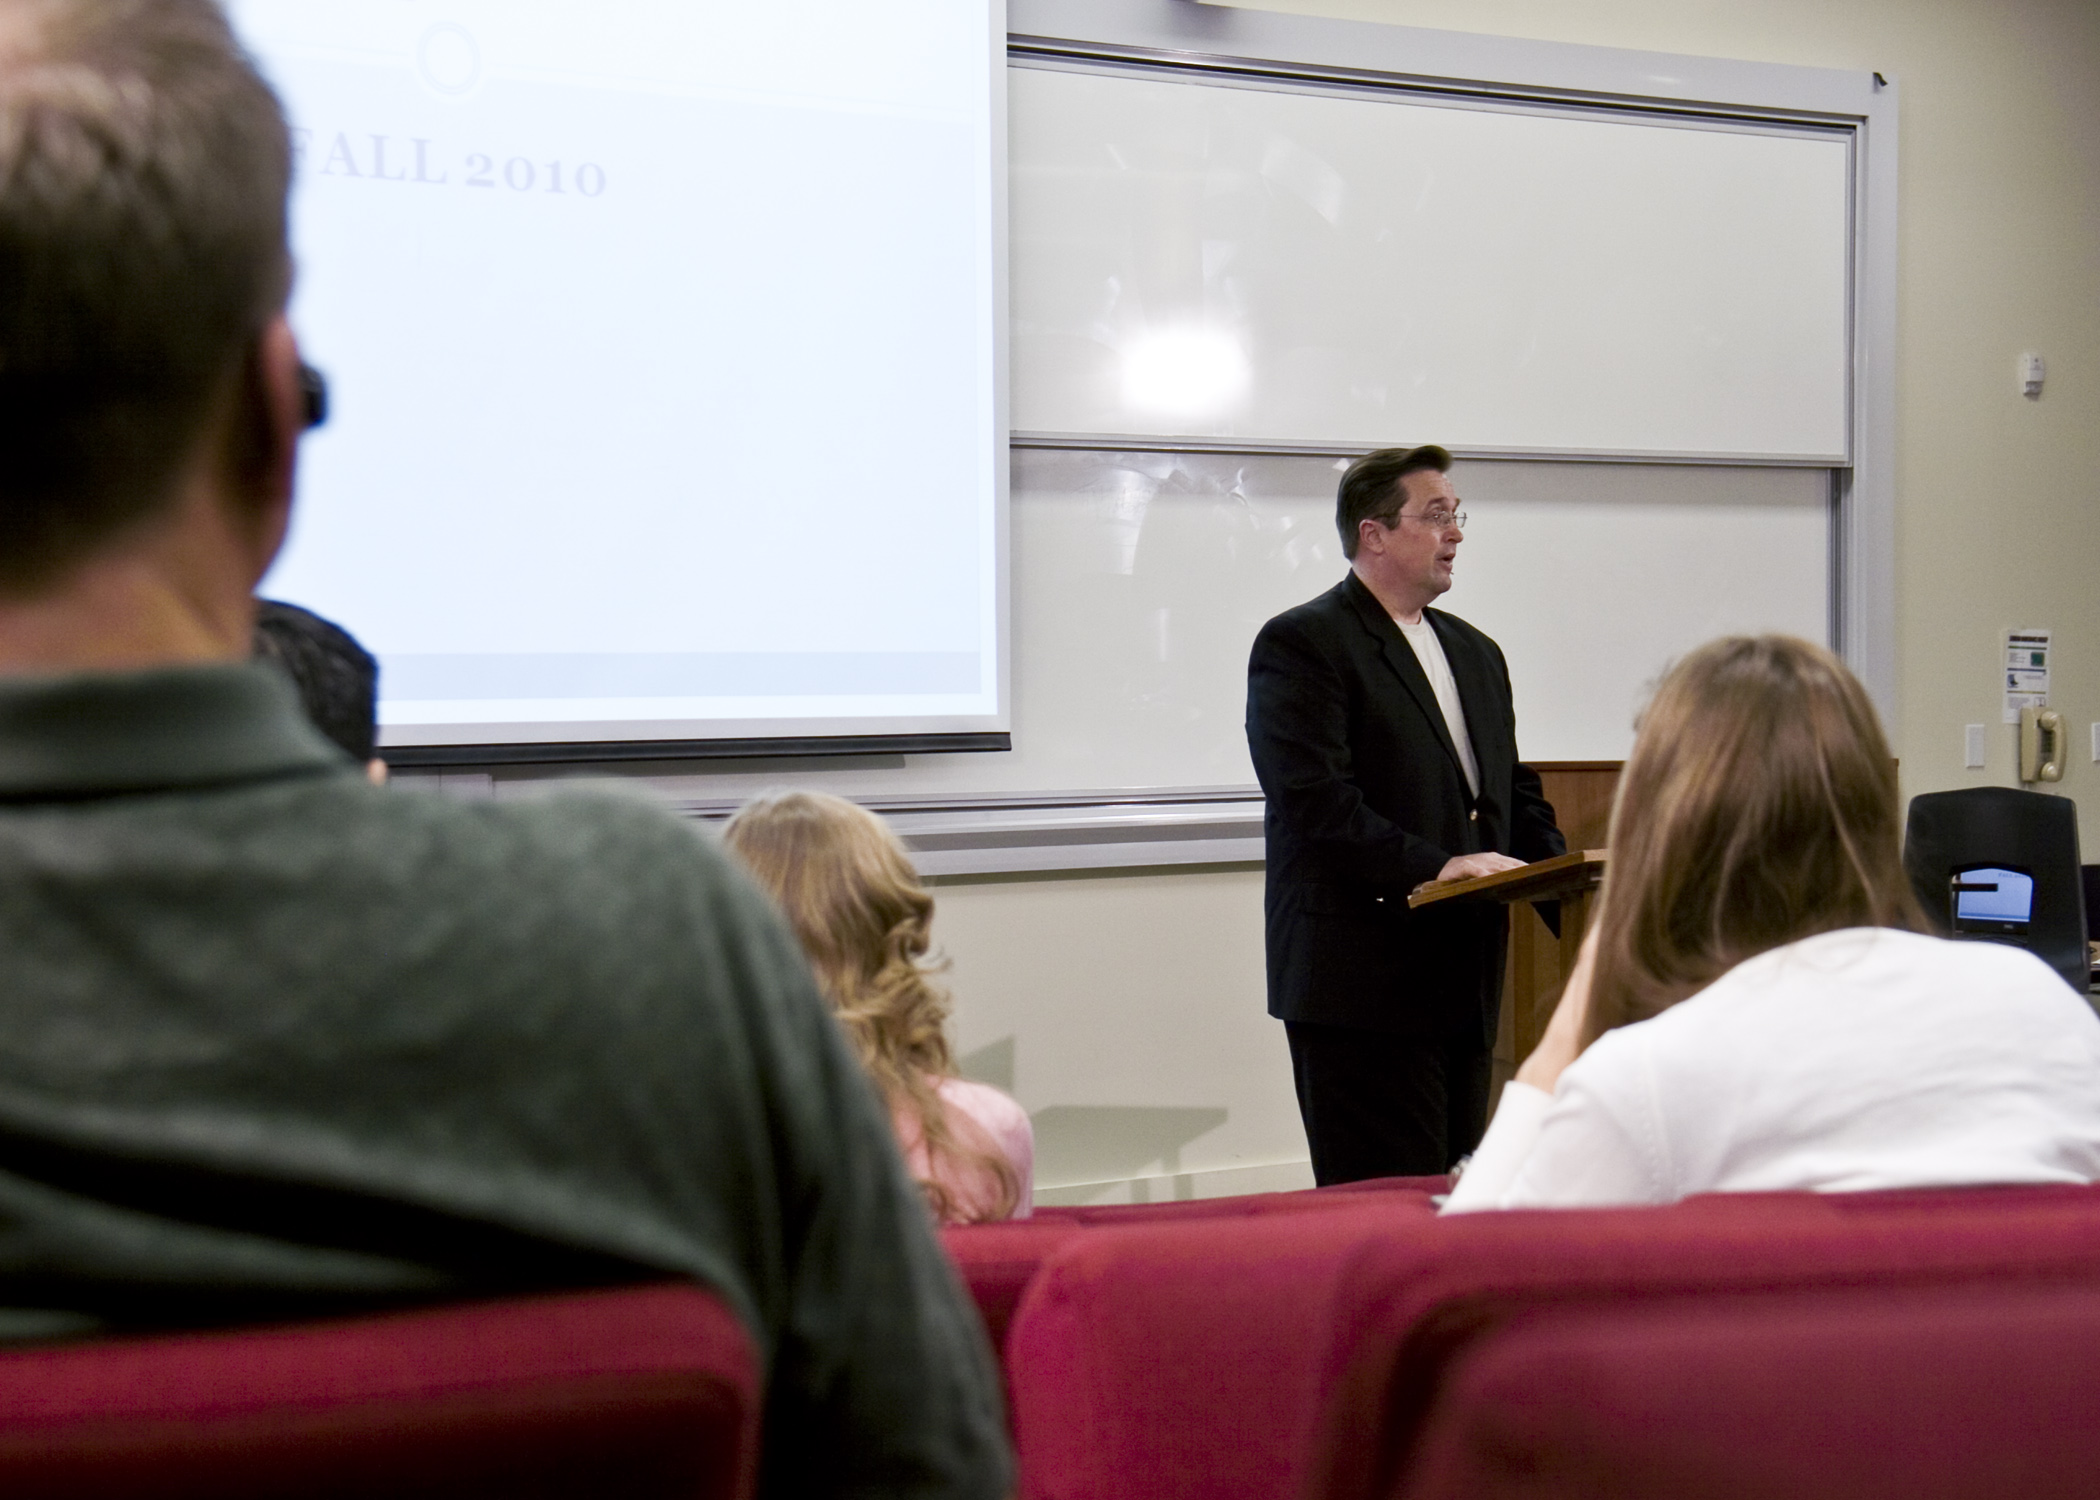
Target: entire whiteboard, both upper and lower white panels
x,y
1139,579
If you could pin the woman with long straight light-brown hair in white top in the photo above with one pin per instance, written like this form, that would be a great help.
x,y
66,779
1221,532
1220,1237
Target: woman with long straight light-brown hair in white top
x,y
1757,1005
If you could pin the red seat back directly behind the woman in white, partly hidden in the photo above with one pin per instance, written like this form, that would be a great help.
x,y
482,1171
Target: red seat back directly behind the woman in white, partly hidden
x,y
1410,1310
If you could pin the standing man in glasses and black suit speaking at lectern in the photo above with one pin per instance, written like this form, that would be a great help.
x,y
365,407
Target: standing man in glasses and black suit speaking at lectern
x,y
1387,745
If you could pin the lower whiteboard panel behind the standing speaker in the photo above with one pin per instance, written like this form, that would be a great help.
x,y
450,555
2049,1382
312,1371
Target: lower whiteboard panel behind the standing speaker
x,y
1141,583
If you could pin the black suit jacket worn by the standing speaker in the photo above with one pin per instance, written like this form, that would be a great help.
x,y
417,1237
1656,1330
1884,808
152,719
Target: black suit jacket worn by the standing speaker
x,y
1368,801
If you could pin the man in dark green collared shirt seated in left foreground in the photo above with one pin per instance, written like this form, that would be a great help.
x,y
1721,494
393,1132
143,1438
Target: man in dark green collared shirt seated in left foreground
x,y
280,1043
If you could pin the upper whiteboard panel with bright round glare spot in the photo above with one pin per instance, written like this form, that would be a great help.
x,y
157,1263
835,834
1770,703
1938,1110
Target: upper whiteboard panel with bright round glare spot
x,y
1274,264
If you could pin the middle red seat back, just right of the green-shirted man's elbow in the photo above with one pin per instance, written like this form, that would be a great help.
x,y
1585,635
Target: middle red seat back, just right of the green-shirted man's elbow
x,y
1181,1360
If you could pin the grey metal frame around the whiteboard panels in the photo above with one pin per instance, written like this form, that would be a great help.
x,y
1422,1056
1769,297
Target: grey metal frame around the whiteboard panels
x,y
1251,45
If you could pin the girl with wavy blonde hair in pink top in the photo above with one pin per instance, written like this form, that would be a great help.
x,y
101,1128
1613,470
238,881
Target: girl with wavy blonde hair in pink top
x,y
864,919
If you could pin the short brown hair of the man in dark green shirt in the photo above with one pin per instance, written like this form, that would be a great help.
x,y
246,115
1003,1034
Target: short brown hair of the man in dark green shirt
x,y
144,171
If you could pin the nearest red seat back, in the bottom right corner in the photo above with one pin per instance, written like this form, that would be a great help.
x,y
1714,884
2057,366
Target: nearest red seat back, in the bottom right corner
x,y
1965,1394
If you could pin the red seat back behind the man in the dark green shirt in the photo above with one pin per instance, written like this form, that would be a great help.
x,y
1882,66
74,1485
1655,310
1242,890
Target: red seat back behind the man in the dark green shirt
x,y
637,1392
